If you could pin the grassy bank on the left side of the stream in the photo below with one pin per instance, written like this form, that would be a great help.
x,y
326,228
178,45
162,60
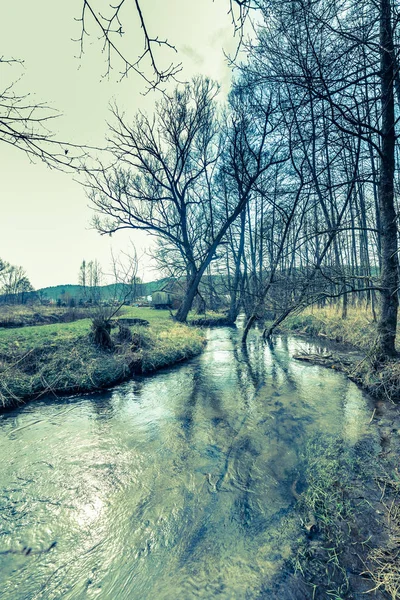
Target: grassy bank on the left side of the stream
x,y
62,358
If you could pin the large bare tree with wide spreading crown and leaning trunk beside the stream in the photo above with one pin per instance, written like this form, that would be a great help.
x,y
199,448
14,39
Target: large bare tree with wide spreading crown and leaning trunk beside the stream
x,y
166,173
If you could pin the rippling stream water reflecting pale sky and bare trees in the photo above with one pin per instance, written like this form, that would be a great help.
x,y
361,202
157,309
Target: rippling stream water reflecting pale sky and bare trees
x,y
175,486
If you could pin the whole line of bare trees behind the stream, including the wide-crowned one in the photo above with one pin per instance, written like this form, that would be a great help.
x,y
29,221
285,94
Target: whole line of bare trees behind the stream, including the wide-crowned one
x,y
287,191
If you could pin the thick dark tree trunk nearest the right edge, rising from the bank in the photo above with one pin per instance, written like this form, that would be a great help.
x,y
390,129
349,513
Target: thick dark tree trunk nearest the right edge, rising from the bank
x,y
389,275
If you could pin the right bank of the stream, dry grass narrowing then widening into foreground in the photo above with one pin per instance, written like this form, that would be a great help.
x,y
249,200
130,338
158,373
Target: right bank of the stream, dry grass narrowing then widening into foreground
x,y
354,501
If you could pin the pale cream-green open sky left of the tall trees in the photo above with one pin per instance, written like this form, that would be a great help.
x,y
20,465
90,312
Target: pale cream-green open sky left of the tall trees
x,y
45,219
